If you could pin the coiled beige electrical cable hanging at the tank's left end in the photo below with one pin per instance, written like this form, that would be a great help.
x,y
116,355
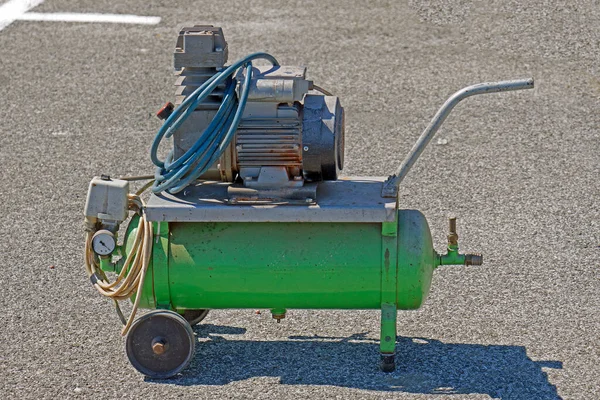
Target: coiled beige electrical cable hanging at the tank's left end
x,y
133,273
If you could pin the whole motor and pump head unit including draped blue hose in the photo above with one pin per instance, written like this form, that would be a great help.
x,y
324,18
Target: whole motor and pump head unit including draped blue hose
x,y
288,135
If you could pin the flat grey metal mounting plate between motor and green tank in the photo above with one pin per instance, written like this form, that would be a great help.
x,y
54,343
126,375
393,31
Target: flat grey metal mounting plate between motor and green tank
x,y
353,199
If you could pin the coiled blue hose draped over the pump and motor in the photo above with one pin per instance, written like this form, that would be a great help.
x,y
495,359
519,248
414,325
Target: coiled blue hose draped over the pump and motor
x,y
174,175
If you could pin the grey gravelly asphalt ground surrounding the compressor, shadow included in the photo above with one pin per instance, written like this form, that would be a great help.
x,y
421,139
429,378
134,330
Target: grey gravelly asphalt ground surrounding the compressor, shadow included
x,y
521,171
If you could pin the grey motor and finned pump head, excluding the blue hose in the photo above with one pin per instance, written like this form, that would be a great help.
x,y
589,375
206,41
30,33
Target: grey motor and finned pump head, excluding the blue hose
x,y
288,134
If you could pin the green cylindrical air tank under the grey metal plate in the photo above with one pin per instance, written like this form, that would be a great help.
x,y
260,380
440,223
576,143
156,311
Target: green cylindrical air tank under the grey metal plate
x,y
280,265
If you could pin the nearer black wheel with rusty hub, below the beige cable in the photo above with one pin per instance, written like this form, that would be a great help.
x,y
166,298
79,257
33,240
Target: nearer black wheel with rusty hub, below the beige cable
x,y
160,344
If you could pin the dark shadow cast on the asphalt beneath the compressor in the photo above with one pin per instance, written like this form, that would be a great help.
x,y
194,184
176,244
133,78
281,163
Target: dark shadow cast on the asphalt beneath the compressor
x,y
423,365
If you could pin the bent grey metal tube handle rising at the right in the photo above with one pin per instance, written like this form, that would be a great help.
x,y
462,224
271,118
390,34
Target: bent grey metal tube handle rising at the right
x,y
390,187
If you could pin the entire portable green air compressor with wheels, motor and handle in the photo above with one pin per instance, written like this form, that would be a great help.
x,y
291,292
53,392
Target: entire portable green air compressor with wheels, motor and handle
x,y
248,210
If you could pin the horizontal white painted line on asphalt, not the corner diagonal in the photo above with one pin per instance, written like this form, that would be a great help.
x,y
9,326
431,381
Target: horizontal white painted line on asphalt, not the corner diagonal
x,y
89,17
